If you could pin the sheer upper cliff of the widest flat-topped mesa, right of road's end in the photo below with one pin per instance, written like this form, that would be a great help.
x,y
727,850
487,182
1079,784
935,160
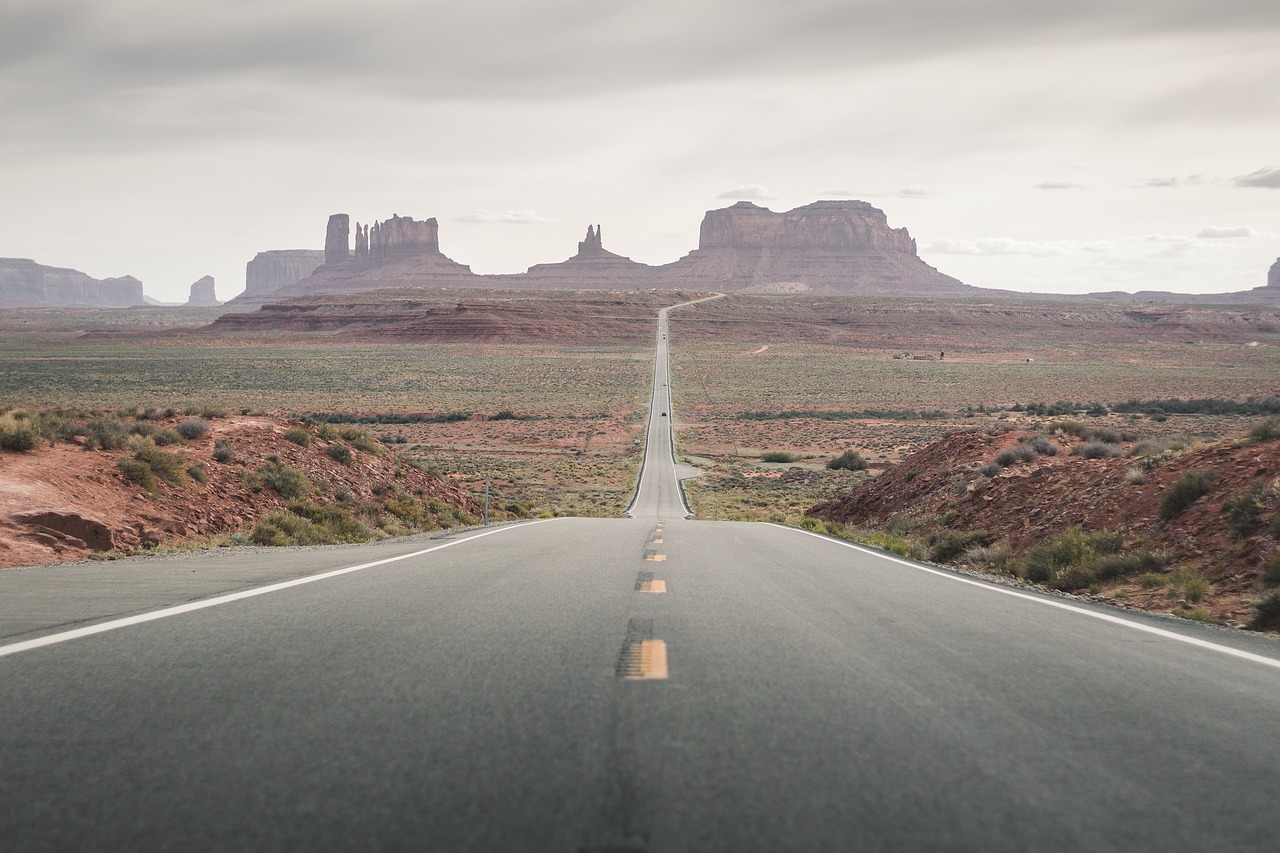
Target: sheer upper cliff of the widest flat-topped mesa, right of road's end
x,y
822,225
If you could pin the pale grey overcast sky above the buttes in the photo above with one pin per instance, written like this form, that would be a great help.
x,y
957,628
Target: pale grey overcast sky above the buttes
x,y
1069,147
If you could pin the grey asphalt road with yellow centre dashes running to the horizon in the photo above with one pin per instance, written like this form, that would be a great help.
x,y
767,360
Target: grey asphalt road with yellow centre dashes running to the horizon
x,y
620,685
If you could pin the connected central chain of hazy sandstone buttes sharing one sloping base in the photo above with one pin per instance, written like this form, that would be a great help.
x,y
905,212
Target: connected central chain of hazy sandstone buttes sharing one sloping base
x,y
833,247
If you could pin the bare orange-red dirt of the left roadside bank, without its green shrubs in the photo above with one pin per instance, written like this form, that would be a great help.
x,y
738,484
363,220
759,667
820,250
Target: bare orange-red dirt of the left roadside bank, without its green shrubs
x,y
67,503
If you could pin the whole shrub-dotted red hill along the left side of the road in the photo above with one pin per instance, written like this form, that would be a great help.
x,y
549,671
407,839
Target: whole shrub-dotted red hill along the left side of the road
x,y
235,483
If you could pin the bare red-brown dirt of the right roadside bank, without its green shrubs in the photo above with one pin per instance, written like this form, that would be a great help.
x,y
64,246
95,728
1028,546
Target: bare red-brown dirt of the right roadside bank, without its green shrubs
x,y
1030,503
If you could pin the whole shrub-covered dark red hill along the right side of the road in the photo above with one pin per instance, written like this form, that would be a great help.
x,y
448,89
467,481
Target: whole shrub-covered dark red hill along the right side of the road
x,y
1163,524
